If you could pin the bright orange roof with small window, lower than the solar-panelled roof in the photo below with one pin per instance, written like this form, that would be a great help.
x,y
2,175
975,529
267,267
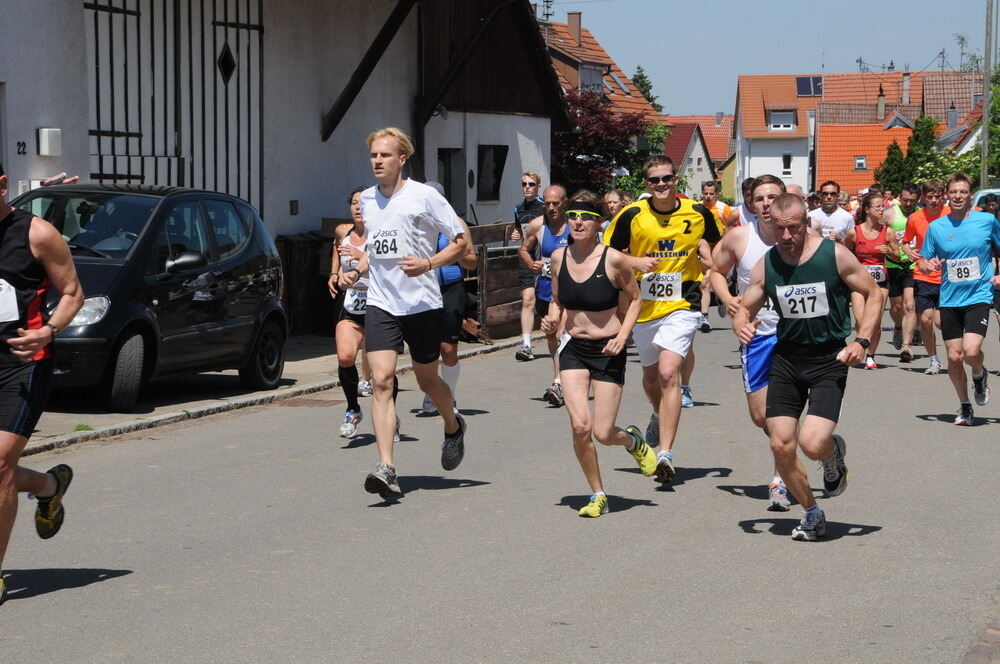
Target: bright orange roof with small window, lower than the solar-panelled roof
x,y
838,145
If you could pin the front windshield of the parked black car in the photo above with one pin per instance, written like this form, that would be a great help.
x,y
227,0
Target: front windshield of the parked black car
x,y
96,224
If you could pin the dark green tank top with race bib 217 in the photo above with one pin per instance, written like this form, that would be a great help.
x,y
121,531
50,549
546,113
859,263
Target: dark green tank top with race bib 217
x,y
811,299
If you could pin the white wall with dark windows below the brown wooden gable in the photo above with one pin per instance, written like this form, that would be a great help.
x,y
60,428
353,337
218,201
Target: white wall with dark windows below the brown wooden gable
x,y
527,137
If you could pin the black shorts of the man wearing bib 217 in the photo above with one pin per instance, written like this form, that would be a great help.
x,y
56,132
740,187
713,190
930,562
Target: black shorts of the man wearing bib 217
x,y
804,375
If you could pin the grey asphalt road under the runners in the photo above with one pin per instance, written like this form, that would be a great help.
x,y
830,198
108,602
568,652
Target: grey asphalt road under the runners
x,y
247,537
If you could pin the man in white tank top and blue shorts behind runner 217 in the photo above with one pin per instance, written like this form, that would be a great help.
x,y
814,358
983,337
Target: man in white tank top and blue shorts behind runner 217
x,y
741,249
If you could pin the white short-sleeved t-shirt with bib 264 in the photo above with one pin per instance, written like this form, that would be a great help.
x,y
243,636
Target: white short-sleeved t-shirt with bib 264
x,y
405,224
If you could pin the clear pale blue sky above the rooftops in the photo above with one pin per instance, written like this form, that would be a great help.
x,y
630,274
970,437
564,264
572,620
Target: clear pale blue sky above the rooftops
x,y
693,51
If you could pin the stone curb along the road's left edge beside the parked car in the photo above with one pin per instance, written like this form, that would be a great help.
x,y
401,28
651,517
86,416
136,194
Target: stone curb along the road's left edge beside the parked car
x,y
65,440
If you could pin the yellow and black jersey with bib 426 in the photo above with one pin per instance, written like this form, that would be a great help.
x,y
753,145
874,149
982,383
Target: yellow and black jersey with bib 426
x,y
673,237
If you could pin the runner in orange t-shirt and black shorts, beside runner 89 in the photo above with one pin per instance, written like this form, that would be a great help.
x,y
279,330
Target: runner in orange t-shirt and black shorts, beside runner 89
x,y
926,286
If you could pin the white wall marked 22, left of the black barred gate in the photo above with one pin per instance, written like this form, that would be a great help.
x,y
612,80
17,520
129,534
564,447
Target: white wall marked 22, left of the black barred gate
x,y
43,83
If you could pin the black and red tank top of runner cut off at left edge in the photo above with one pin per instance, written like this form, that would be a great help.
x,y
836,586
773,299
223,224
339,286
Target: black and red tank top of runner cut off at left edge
x,y
23,284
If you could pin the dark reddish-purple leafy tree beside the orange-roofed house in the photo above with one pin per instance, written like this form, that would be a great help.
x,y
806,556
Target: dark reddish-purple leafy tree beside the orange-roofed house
x,y
601,141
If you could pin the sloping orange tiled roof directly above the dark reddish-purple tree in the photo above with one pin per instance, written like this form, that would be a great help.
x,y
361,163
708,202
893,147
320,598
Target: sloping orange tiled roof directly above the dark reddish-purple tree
x,y
618,88
